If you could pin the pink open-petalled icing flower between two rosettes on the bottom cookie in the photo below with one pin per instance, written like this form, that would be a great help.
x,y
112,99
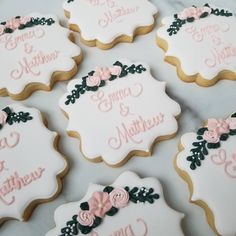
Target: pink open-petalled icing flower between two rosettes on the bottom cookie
x,y
99,204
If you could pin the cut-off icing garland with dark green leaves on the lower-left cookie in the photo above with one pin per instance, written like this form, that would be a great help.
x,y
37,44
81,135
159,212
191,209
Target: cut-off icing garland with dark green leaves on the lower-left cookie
x,y
9,117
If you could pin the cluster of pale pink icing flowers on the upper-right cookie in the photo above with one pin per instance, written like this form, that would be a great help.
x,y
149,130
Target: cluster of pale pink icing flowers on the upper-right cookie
x,y
194,12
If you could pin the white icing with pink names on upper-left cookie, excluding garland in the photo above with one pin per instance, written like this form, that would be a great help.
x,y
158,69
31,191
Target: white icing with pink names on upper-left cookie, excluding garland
x,y
32,55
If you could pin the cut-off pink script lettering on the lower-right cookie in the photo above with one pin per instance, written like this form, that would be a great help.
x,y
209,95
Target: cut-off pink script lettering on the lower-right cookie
x,y
228,162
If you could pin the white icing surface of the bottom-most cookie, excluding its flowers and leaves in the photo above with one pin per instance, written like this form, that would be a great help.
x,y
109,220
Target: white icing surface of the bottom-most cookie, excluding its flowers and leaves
x,y
141,219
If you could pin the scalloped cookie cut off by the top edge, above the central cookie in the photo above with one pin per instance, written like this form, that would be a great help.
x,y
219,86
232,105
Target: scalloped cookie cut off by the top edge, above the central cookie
x,y
104,23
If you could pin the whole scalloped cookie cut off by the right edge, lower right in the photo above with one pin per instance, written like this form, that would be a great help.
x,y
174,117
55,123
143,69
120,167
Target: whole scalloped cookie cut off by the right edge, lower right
x,y
207,161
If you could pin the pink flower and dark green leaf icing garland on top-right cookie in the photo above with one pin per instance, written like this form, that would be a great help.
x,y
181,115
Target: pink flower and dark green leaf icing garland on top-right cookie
x,y
193,13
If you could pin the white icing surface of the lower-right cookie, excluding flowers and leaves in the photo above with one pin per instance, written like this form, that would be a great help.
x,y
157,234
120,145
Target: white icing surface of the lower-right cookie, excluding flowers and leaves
x,y
214,181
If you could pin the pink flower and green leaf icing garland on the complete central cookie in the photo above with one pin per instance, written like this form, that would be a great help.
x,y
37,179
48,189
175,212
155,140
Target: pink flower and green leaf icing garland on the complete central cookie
x,y
98,78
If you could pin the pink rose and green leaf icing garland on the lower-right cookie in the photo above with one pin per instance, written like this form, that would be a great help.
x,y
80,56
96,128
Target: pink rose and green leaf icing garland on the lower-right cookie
x,y
217,130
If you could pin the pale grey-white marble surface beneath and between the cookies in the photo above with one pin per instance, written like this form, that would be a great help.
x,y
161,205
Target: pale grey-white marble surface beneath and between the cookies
x,y
197,105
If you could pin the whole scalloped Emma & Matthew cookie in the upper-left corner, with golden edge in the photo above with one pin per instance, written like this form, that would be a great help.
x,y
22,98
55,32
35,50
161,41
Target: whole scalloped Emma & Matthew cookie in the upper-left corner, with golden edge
x,y
35,52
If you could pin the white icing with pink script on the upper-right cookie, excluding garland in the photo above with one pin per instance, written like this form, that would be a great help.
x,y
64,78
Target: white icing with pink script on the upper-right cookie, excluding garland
x,y
206,46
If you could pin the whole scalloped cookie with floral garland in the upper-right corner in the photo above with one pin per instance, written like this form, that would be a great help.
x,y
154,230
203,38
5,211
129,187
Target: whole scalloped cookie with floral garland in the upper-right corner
x,y
201,43
